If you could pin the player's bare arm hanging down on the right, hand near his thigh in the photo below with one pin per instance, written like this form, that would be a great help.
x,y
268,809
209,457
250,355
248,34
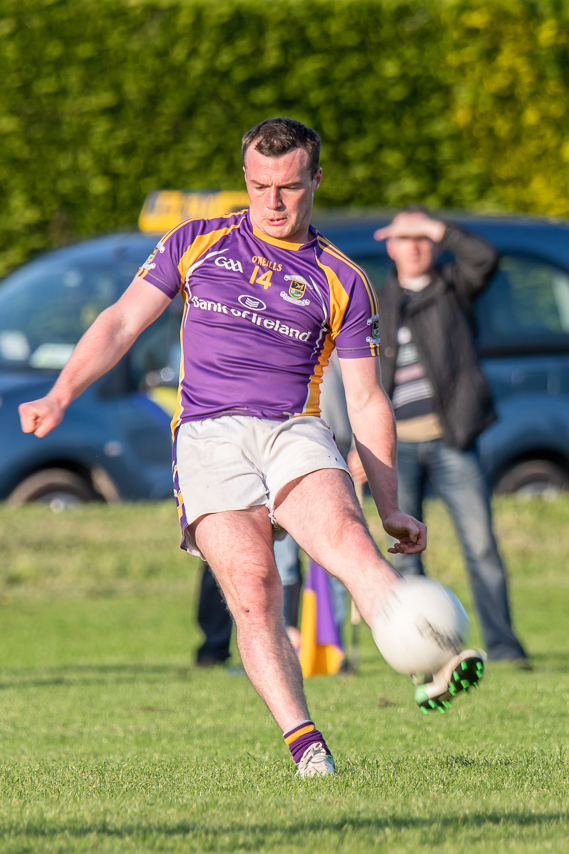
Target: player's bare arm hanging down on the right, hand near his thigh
x,y
373,425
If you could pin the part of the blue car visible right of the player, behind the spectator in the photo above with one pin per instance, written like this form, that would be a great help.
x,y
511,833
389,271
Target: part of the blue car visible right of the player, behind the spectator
x,y
523,341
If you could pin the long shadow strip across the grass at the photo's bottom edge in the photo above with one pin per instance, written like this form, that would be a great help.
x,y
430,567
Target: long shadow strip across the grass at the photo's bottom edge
x,y
255,837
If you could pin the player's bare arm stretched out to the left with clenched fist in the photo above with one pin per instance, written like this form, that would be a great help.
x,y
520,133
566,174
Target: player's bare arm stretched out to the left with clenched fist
x,y
105,342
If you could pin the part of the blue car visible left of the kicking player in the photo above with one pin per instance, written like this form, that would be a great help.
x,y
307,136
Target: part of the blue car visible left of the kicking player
x,y
114,442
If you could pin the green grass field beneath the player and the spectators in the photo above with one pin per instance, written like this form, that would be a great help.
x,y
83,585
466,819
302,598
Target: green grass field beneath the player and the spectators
x,y
112,741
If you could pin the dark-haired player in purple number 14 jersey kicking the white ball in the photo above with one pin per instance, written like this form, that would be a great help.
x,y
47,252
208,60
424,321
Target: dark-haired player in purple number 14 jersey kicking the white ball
x,y
267,299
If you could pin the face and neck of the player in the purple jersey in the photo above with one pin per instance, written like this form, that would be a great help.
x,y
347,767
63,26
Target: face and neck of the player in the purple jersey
x,y
281,193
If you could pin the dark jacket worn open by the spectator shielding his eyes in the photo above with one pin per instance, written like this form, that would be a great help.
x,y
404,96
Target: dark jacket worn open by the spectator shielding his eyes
x,y
441,320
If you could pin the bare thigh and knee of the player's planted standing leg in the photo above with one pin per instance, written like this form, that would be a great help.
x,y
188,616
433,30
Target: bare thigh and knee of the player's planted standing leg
x,y
238,546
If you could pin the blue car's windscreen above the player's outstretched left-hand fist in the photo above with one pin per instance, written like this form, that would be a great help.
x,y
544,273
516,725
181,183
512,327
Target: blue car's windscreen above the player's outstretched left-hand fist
x,y
46,306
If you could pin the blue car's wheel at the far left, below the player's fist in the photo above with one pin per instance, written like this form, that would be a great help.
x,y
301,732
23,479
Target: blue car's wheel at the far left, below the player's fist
x,y
59,488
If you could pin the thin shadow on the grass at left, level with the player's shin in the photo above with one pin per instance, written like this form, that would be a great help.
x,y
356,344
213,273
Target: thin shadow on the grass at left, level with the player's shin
x,y
96,674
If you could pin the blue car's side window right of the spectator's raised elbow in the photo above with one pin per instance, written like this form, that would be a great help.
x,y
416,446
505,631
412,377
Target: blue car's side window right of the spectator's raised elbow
x,y
526,304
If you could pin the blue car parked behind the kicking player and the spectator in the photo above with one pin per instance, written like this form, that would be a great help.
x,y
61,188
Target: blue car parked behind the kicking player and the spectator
x,y
114,442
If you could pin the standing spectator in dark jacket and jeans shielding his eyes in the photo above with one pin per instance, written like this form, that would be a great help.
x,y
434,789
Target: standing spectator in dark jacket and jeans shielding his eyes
x,y
441,400
